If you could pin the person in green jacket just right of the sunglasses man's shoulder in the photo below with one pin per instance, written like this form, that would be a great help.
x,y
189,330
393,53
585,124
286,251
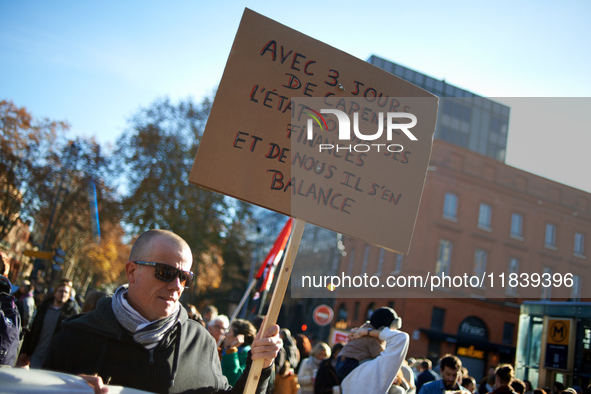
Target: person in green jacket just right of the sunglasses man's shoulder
x,y
237,344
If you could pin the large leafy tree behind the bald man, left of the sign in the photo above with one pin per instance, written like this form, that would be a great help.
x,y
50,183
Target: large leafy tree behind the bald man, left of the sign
x,y
157,154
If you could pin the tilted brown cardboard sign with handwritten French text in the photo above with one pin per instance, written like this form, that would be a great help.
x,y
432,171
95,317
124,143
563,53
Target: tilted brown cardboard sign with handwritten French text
x,y
253,150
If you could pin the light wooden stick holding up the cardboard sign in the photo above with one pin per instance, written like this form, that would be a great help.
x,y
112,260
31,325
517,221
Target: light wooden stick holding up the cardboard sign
x,y
277,299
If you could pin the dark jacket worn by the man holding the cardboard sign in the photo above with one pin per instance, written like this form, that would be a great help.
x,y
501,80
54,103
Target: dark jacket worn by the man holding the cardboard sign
x,y
185,361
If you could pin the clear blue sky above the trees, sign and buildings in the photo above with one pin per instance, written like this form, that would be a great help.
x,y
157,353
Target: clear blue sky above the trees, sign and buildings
x,y
94,64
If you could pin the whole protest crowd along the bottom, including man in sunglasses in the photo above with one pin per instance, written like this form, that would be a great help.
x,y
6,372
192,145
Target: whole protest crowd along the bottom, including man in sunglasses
x,y
145,320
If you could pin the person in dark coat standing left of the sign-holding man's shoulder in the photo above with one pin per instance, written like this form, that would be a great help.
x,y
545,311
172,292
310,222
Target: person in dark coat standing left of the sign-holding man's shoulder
x,y
46,324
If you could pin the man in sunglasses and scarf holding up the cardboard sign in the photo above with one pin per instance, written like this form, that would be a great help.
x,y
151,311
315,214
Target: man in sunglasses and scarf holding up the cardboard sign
x,y
142,338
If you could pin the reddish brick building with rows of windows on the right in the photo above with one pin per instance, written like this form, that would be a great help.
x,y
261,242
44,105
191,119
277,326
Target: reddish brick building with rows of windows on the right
x,y
478,217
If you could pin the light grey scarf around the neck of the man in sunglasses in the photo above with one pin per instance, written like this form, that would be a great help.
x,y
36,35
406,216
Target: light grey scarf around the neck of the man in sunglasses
x,y
145,332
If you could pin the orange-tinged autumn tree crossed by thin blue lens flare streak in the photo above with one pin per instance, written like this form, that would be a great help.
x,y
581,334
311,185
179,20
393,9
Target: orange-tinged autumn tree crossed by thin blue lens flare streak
x,y
67,221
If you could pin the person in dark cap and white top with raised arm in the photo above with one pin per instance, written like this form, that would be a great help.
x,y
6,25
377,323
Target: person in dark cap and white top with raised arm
x,y
377,374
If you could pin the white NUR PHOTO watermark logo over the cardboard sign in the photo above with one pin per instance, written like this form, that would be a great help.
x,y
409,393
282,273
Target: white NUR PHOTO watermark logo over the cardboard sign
x,y
392,127
